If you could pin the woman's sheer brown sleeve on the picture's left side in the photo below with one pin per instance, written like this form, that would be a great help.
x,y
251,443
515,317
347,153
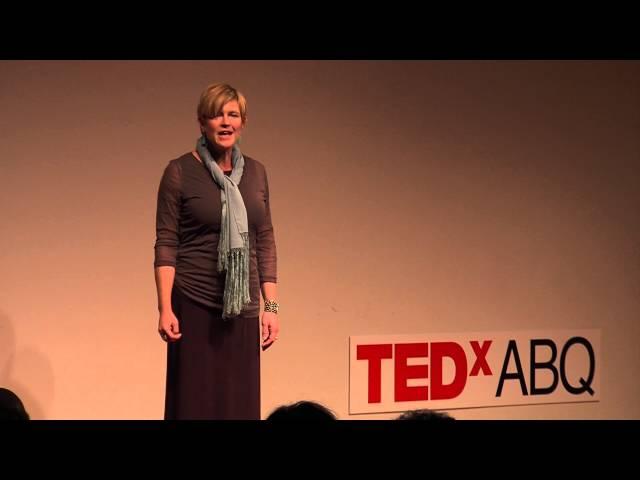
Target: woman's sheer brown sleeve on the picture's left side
x,y
168,216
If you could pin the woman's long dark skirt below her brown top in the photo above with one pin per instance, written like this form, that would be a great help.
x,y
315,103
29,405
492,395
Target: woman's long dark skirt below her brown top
x,y
213,371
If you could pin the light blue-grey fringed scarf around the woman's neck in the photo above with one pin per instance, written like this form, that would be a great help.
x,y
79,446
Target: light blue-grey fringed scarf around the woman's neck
x,y
233,245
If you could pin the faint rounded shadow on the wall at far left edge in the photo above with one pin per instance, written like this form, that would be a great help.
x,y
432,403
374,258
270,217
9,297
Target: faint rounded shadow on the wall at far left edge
x,y
27,372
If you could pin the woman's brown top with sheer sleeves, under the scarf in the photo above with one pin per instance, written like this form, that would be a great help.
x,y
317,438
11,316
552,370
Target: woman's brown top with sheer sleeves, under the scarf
x,y
188,226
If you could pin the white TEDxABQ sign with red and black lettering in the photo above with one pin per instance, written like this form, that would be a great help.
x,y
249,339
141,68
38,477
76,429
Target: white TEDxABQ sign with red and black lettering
x,y
443,371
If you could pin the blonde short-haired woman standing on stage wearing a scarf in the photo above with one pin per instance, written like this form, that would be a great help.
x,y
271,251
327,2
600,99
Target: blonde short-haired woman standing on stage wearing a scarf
x,y
214,253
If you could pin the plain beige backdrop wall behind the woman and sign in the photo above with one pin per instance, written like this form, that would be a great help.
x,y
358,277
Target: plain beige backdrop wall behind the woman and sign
x,y
407,197
